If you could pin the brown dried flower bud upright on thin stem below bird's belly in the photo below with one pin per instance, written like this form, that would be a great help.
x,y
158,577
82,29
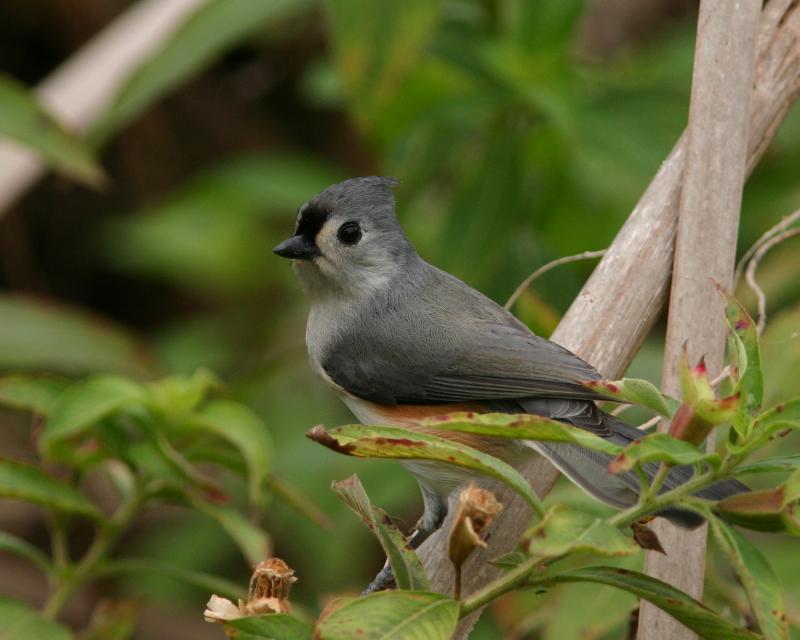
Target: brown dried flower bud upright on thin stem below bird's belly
x,y
477,508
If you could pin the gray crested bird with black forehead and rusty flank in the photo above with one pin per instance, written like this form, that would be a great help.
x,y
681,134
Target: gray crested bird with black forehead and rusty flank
x,y
401,340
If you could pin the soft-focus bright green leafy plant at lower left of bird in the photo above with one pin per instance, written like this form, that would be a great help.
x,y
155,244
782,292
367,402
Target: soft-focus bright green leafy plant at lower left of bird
x,y
135,434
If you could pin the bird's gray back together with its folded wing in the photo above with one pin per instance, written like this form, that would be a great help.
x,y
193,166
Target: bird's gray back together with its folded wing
x,y
429,337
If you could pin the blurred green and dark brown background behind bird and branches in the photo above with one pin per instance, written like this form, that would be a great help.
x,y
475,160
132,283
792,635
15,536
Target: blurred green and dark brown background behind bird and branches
x,y
522,130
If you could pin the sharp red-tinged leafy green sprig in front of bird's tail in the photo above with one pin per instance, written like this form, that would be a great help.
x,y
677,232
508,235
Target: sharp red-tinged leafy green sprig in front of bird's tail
x,y
565,532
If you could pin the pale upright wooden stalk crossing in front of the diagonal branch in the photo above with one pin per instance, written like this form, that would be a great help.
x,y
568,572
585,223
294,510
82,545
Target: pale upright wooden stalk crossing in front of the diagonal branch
x,y
705,252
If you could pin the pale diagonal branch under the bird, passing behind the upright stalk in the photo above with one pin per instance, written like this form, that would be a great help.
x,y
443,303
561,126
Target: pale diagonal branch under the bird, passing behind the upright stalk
x,y
622,299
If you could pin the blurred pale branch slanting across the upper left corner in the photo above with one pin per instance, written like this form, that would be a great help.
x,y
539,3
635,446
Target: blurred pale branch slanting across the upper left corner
x,y
81,89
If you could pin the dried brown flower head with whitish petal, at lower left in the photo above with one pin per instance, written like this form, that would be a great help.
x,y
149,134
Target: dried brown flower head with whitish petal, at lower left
x,y
268,593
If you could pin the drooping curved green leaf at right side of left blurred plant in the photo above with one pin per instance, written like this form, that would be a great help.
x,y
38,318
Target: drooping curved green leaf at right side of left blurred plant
x,y
243,429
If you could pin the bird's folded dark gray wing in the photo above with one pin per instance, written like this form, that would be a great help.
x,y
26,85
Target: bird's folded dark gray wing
x,y
476,361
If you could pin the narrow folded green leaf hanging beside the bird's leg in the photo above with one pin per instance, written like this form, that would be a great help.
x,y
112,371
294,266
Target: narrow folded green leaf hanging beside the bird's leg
x,y
406,566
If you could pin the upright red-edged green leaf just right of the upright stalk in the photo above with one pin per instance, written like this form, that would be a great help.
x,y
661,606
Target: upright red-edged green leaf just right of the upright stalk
x,y
745,356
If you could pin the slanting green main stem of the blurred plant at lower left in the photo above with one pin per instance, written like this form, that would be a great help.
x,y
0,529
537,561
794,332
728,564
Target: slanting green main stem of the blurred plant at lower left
x,y
71,578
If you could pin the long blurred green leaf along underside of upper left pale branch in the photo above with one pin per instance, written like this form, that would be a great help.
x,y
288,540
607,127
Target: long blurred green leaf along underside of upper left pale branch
x,y
205,35
